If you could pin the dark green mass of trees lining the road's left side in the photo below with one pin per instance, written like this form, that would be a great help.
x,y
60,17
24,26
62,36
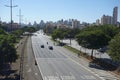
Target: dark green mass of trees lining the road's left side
x,y
7,43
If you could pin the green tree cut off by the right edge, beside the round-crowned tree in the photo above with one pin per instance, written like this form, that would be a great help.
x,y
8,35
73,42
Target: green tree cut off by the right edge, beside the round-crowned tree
x,y
114,48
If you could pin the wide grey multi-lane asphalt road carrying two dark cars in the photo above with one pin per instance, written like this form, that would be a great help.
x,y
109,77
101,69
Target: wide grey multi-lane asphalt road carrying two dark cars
x,y
54,64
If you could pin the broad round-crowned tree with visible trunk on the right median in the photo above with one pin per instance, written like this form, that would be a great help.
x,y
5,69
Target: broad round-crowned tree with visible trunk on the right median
x,y
93,39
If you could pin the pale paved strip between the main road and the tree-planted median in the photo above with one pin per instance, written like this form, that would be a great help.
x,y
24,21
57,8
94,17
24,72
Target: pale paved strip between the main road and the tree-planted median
x,y
105,75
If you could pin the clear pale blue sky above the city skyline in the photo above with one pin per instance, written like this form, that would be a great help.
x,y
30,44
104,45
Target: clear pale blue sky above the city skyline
x,y
54,10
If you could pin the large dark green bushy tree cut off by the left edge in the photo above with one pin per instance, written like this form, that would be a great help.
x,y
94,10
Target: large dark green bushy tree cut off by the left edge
x,y
7,51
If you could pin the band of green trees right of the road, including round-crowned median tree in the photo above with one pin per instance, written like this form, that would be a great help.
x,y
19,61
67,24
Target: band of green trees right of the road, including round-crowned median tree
x,y
92,37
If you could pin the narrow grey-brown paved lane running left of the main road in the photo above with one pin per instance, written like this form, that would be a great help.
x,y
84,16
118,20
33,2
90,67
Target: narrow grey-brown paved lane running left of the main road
x,y
31,70
